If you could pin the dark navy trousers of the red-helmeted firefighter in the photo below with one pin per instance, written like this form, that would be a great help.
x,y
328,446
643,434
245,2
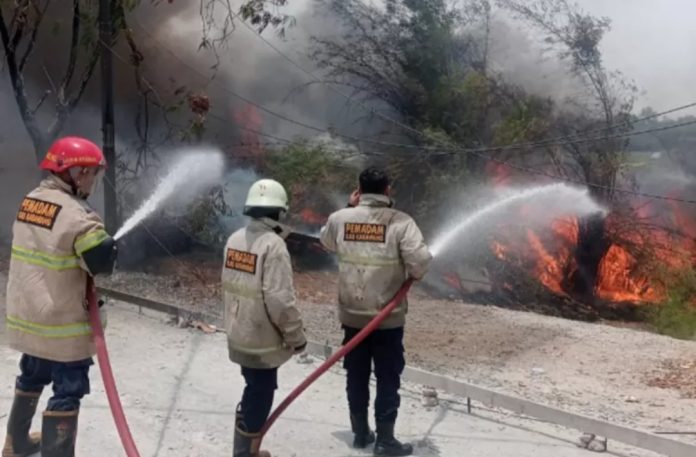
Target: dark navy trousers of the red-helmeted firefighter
x,y
70,380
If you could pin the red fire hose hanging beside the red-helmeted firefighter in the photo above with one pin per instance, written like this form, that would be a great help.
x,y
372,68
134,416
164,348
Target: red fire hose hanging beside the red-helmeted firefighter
x,y
107,375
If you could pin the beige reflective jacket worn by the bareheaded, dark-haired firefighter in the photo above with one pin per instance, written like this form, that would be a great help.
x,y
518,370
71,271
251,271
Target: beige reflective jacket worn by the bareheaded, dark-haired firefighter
x,y
378,248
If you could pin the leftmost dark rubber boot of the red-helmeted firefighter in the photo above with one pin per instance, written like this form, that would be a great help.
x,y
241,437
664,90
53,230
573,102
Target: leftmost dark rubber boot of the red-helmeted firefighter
x,y
19,442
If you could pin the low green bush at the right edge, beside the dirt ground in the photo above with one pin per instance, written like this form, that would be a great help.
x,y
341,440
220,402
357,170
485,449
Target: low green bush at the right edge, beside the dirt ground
x,y
676,316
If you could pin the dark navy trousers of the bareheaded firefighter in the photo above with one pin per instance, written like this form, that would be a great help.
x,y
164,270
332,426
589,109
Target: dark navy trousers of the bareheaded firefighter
x,y
386,349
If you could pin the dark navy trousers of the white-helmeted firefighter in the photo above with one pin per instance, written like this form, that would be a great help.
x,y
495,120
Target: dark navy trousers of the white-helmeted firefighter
x,y
257,399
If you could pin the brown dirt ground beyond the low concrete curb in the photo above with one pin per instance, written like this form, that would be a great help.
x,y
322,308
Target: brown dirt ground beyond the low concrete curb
x,y
623,375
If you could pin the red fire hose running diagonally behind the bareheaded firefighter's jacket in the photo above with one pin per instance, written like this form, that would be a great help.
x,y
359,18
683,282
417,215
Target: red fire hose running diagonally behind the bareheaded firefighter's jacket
x,y
357,339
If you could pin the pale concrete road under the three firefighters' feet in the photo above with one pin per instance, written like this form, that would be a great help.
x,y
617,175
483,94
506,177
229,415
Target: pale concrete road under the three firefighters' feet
x,y
179,391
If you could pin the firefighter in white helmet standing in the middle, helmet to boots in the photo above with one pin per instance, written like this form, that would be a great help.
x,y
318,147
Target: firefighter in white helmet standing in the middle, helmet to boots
x,y
264,328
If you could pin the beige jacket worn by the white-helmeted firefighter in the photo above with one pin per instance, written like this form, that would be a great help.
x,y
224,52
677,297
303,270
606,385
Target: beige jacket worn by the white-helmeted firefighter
x,y
263,325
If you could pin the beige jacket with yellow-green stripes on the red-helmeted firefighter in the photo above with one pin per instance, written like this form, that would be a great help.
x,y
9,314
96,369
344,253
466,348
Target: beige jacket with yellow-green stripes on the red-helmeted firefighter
x,y
46,303
